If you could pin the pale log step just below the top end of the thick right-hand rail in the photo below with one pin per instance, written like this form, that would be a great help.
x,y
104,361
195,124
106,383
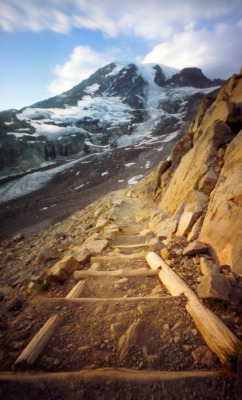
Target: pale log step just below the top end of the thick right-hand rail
x,y
118,273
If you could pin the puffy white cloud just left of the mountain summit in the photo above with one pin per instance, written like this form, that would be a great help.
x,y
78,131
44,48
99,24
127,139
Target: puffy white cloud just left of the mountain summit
x,y
82,63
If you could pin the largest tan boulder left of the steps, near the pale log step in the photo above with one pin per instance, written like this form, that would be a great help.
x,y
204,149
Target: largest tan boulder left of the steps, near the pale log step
x,y
63,267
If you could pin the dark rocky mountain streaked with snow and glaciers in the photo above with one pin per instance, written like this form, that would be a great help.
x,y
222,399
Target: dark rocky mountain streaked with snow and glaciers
x,y
123,108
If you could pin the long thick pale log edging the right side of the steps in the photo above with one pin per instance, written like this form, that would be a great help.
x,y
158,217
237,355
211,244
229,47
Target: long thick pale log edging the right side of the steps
x,y
215,333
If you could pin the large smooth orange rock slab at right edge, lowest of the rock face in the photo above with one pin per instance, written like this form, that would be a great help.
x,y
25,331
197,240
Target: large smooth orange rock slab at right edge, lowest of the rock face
x,y
222,227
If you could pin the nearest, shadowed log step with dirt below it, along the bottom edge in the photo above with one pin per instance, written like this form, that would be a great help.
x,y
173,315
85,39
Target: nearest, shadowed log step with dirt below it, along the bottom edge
x,y
118,383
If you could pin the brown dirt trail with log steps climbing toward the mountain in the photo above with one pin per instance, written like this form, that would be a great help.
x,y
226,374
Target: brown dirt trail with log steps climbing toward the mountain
x,y
131,341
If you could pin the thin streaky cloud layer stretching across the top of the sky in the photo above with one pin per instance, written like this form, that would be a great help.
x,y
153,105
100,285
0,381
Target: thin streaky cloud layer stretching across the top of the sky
x,y
156,19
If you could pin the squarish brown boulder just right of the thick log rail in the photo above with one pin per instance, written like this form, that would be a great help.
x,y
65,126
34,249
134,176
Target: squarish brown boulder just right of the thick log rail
x,y
214,286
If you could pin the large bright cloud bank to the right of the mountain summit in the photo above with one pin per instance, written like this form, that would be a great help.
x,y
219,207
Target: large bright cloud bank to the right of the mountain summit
x,y
217,52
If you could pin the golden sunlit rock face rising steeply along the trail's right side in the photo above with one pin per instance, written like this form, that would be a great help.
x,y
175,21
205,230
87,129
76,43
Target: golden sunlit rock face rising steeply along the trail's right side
x,y
202,189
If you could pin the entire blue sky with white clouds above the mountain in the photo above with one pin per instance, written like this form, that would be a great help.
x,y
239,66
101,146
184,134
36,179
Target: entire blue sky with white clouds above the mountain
x,y
48,46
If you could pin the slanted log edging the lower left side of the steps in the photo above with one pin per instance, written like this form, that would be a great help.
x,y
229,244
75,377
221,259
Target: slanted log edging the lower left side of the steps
x,y
38,343
